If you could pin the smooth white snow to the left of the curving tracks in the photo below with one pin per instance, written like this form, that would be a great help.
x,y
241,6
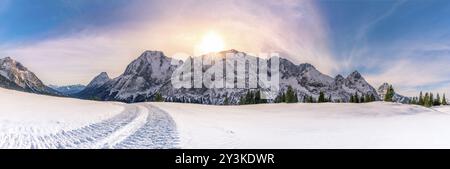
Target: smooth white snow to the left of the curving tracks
x,y
22,111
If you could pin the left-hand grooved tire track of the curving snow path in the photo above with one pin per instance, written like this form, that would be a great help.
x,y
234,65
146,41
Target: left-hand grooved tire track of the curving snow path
x,y
84,137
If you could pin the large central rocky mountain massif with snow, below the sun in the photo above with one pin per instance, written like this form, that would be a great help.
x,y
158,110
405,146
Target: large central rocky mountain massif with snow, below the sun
x,y
151,73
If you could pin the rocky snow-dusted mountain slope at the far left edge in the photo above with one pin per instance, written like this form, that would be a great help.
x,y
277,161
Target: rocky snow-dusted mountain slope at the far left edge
x,y
13,75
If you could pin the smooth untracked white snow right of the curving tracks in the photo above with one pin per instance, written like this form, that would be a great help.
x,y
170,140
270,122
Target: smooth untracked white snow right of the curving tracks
x,y
326,125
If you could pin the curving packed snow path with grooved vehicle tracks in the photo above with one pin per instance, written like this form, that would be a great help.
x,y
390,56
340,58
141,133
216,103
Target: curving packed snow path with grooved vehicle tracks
x,y
138,126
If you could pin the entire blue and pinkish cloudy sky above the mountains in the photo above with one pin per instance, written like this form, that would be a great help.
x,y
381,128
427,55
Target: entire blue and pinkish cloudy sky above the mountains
x,y
406,43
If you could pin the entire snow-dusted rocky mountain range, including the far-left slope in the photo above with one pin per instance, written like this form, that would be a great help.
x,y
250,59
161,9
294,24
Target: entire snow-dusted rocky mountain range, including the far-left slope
x,y
148,78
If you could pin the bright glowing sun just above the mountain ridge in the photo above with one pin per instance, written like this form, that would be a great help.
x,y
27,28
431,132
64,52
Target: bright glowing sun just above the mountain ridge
x,y
211,42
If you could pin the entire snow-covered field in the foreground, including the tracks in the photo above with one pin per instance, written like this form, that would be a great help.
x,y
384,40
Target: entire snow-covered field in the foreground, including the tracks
x,y
36,121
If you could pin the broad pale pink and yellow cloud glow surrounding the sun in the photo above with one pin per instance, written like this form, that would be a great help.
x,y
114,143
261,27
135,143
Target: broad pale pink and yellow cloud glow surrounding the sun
x,y
291,27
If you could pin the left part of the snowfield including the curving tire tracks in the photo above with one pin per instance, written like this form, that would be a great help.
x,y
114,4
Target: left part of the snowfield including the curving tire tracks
x,y
37,121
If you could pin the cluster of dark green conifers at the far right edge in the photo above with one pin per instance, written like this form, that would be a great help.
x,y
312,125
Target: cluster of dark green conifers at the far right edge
x,y
429,100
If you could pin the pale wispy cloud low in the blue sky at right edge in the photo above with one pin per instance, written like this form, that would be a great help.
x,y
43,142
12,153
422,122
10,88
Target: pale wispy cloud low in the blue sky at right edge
x,y
416,68
